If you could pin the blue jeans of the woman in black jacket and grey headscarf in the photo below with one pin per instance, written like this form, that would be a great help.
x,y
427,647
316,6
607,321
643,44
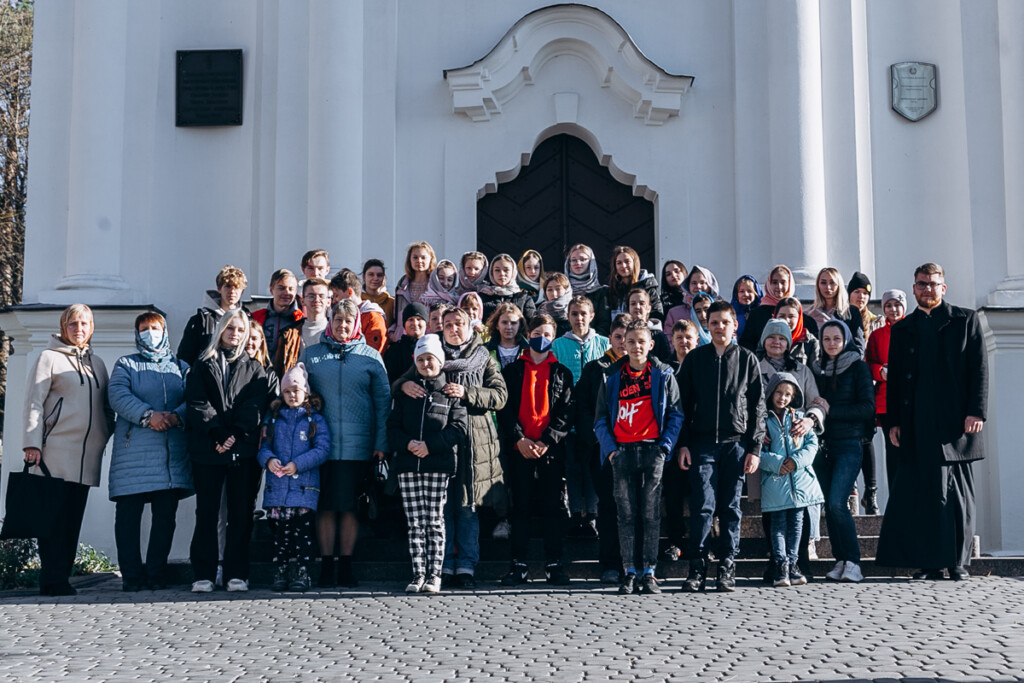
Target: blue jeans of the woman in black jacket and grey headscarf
x,y
842,465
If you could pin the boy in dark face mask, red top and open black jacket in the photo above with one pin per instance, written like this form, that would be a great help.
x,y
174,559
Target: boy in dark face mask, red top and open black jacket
x,y
534,425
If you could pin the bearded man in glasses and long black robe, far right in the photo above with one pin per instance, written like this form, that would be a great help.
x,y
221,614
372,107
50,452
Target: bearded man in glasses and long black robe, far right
x,y
937,391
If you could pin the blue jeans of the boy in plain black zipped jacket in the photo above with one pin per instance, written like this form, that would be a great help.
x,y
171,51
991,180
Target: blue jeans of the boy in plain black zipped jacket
x,y
716,486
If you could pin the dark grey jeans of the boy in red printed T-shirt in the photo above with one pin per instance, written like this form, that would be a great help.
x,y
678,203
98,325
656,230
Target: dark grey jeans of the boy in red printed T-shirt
x,y
637,471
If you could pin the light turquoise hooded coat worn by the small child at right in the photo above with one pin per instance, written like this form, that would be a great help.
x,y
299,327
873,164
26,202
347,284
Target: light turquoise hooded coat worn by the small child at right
x,y
799,489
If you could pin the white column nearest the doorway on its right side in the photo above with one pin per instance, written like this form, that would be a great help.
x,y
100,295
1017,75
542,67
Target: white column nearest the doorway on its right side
x,y
797,147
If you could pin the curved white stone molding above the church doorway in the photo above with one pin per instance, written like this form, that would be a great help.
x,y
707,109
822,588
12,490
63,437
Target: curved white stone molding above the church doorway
x,y
482,90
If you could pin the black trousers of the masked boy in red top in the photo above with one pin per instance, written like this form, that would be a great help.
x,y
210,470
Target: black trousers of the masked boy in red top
x,y
540,482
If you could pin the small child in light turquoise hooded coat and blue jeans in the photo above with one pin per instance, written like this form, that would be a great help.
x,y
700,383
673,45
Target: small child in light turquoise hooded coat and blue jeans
x,y
788,482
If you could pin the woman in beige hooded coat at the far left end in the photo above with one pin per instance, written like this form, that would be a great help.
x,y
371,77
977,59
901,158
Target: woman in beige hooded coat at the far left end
x,y
67,424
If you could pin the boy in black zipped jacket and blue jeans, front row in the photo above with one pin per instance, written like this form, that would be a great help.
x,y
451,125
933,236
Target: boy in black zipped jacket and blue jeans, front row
x,y
722,398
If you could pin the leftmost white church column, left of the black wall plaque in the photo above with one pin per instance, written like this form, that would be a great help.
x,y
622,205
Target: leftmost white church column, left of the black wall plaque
x,y
93,266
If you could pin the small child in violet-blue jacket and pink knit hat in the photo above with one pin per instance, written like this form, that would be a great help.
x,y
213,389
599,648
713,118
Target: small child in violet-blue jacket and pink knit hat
x,y
296,443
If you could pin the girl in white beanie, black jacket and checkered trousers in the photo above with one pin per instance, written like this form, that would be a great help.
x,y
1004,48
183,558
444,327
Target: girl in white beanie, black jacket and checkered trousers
x,y
426,433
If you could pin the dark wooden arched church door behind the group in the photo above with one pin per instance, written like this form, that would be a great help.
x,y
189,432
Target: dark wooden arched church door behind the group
x,y
566,197
